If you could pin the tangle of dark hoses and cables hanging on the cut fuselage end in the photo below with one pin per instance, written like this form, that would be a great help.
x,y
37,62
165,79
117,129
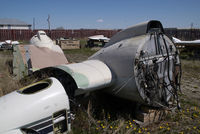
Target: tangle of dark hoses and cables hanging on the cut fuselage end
x,y
158,89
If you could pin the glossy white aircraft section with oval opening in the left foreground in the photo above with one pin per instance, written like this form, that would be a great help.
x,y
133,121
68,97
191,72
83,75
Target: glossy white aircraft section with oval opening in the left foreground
x,y
35,110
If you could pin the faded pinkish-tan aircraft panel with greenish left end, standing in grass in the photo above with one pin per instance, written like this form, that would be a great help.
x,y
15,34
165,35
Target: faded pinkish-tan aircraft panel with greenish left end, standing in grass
x,y
29,58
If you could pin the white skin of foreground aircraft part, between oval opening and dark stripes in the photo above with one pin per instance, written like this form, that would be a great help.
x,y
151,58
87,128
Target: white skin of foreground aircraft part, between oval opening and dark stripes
x,y
19,109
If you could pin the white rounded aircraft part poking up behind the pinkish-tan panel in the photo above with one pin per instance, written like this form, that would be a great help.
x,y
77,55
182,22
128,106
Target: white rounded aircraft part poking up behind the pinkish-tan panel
x,y
43,41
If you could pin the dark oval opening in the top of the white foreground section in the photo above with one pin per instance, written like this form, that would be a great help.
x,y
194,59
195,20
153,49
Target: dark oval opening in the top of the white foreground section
x,y
35,87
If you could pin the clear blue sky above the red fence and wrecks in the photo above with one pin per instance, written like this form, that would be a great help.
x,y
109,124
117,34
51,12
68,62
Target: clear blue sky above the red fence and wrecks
x,y
102,14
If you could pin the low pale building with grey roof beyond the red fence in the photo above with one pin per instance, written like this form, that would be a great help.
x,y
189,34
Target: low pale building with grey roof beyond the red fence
x,y
13,24
